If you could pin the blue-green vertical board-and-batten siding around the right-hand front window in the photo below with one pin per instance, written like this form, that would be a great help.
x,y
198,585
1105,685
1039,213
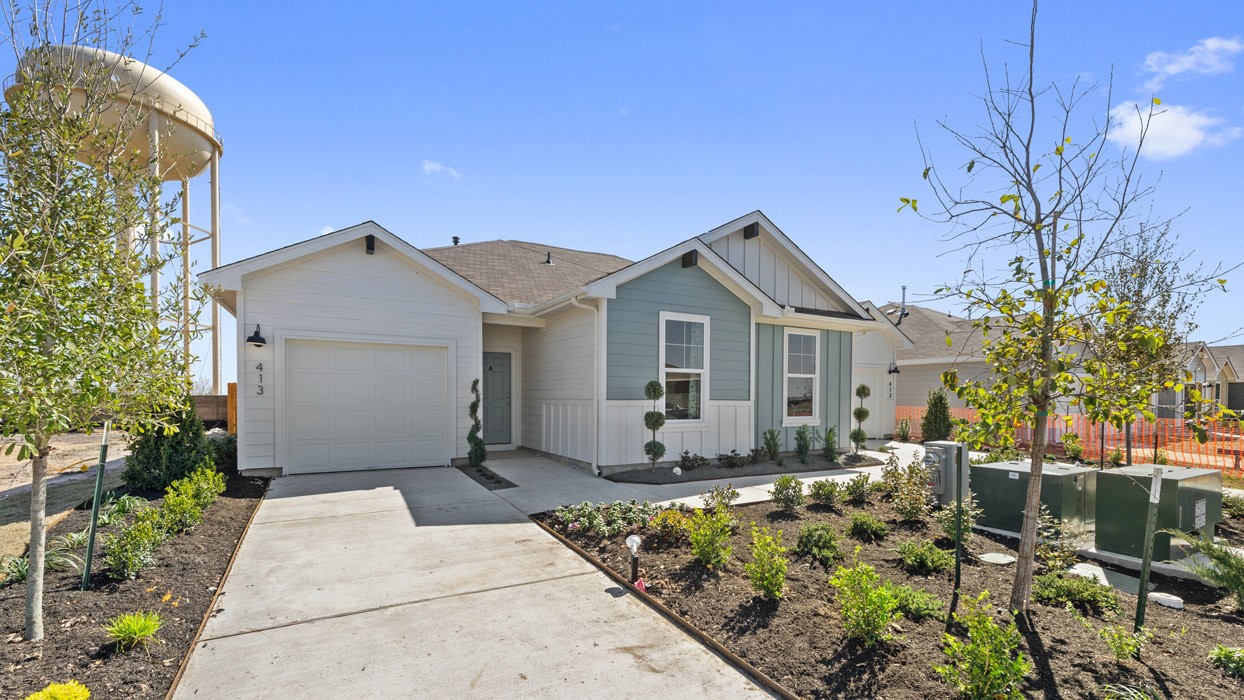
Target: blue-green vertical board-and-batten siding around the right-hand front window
x,y
835,379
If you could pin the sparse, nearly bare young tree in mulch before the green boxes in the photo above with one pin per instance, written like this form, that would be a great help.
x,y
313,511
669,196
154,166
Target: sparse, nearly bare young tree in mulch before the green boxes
x,y
1046,195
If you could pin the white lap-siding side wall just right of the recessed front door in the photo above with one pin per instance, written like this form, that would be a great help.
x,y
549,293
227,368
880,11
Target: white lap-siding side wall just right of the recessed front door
x,y
559,374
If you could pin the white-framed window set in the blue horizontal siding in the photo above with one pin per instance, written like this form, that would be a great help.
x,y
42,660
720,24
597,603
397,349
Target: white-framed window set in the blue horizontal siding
x,y
685,365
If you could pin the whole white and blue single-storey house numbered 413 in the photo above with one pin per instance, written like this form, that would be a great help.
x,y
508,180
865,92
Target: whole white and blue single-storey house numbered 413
x,y
371,346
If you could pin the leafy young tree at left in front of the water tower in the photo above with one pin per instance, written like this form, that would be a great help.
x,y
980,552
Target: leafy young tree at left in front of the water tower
x,y
79,338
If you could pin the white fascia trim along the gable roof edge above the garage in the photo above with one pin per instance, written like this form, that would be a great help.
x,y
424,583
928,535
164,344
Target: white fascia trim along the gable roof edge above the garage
x,y
231,277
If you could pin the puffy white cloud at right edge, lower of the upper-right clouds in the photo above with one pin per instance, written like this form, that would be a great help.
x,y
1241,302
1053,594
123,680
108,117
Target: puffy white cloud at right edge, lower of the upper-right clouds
x,y
1175,131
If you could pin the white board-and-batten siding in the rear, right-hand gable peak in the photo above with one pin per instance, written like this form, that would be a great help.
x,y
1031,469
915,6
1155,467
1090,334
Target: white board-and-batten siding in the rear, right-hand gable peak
x,y
773,270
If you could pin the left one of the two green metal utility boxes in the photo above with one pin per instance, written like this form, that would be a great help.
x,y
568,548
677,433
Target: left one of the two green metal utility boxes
x,y
1068,492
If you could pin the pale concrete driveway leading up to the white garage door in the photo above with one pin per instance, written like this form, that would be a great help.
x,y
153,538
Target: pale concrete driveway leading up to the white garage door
x,y
421,584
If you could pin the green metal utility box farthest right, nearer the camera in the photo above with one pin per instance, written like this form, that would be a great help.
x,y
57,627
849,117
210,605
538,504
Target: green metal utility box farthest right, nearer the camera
x,y
1191,500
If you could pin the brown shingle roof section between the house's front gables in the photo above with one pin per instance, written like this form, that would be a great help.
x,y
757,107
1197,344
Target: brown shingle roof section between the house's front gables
x,y
517,272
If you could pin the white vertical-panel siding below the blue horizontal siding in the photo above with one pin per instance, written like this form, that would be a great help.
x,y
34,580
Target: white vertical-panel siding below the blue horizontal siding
x,y
728,426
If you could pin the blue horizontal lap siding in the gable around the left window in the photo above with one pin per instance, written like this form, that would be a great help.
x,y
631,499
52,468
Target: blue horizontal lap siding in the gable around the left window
x,y
634,328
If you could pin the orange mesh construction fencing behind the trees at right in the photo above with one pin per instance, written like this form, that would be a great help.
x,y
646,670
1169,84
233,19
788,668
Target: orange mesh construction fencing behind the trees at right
x,y
1172,437
